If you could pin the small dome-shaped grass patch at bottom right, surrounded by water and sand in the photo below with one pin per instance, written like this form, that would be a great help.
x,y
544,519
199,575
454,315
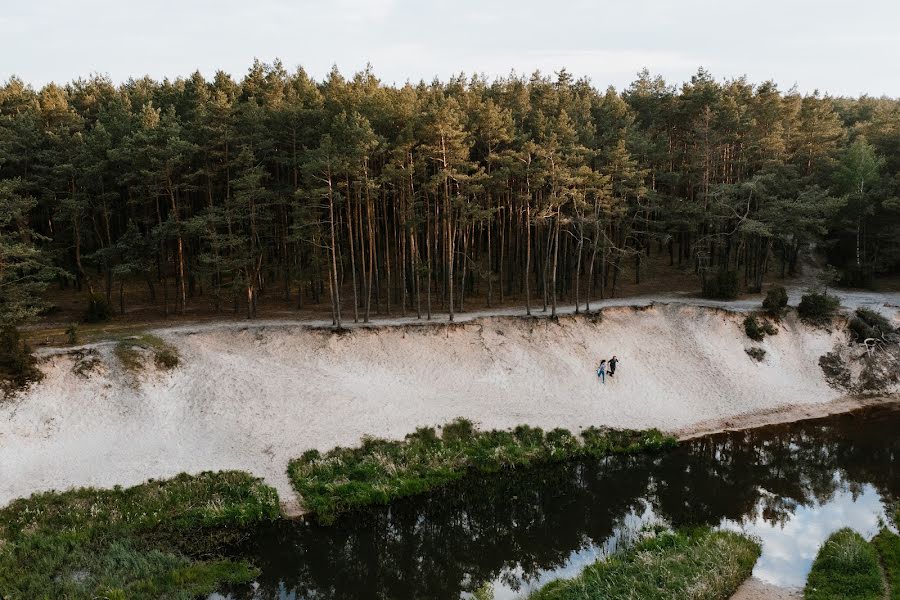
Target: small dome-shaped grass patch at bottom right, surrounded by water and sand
x,y
846,568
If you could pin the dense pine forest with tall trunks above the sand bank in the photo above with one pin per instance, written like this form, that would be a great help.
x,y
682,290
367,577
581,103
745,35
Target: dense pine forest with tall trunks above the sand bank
x,y
413,199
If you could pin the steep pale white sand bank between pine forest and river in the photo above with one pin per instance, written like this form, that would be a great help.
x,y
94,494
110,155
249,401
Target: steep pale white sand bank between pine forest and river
x,y
253,397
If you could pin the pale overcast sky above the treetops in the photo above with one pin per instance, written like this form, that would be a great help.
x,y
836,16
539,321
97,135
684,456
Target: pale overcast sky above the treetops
x,y
841,48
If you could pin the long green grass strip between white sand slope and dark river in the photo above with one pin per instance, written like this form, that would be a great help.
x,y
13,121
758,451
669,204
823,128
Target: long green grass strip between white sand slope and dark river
x,y
380,471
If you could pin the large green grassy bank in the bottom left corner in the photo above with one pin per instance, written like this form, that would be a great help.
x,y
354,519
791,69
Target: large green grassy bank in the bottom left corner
x,y
158,540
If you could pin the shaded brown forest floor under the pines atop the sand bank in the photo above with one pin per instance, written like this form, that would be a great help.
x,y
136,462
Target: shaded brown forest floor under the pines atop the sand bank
x,y
660,282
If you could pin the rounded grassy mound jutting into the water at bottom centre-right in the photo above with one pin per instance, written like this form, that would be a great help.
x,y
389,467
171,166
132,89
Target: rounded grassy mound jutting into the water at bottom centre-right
x,y
697,564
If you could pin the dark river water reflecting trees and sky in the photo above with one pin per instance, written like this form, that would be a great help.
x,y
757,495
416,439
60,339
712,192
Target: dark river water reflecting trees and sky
x,y
790,485
